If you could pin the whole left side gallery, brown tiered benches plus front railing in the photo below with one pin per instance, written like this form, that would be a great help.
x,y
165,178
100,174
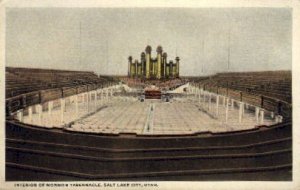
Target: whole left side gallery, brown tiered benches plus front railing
x,y
26,87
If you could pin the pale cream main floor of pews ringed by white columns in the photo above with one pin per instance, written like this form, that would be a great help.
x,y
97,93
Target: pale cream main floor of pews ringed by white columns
x,y
110,110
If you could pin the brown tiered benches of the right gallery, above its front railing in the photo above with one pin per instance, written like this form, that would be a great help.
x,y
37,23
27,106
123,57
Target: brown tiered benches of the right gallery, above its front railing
x,y
275,84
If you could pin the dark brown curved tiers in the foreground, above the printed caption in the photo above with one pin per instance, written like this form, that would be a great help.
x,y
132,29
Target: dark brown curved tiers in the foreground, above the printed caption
x,y
40,154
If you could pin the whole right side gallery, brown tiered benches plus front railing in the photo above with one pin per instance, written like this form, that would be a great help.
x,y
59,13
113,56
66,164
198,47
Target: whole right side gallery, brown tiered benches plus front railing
x,y
271,90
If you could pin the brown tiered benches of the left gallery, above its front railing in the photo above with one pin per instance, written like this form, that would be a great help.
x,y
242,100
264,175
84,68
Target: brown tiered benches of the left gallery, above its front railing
x,y
24,80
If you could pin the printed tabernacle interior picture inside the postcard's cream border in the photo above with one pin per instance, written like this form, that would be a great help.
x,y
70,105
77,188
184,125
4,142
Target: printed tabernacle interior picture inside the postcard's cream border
x,y
148,94
